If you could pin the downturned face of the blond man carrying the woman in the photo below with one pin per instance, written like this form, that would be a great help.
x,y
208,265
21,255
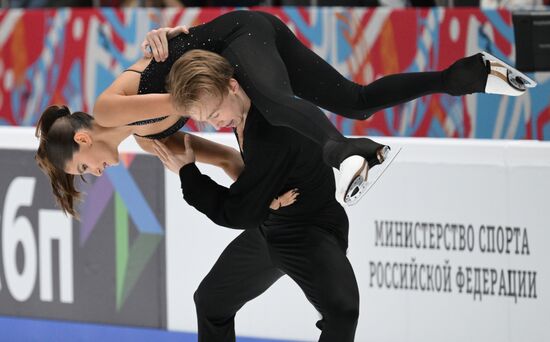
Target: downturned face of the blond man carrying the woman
x,y
221,112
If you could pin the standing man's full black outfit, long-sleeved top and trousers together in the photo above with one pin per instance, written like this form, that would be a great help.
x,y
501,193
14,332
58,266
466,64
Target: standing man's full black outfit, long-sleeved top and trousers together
x,y
306,240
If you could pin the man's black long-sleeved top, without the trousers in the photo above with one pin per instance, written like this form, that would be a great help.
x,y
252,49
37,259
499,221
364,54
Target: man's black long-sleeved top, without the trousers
x,y
276,160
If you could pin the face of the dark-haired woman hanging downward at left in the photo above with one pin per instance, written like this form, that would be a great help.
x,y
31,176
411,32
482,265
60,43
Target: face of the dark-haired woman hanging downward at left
x,y
93,157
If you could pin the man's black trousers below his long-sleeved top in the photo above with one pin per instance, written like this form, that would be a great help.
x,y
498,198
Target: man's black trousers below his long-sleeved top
x,y
313,257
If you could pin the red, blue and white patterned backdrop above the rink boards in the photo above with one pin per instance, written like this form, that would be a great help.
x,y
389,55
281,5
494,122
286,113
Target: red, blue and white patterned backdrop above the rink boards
x,y
75,54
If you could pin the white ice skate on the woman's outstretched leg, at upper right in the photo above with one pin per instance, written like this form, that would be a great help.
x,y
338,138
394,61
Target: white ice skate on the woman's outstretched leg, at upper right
x,y
504,79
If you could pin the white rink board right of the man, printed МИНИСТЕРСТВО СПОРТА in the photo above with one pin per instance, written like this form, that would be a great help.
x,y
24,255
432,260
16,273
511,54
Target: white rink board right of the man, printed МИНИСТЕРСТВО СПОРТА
x,y
451,245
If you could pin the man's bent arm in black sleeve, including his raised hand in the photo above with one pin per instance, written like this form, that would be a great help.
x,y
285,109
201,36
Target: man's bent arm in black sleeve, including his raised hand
x,y
245,204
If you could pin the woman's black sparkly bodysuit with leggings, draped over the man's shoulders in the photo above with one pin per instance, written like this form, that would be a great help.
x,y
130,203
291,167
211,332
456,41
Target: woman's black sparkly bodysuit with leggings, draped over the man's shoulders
x,y
286,81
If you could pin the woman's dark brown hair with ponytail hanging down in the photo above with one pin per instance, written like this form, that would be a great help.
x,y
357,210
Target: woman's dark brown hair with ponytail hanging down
x,y
55,129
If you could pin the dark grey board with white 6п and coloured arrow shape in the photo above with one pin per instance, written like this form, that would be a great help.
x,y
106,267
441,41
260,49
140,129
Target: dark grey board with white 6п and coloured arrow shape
x,y
108,267
